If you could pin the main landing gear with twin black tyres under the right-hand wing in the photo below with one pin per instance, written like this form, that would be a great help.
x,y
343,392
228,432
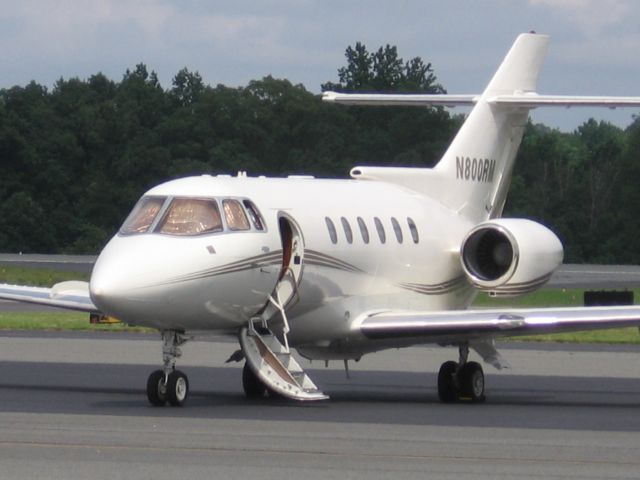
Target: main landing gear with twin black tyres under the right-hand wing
x,y
461,380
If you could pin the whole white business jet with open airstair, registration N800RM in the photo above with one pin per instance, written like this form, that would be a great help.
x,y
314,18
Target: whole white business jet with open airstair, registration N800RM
x,y
336,269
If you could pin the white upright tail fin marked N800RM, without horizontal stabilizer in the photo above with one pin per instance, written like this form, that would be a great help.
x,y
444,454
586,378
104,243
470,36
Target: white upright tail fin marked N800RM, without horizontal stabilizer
x,y
474,174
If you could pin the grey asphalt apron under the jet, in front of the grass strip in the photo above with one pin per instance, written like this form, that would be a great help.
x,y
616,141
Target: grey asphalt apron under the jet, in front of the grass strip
x,y
73,406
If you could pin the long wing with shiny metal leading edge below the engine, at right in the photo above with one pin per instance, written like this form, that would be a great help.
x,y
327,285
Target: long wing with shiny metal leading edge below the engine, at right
x,y
483,324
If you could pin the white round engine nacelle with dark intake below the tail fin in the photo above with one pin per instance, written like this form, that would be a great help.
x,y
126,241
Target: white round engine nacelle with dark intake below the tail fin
x,y
510,256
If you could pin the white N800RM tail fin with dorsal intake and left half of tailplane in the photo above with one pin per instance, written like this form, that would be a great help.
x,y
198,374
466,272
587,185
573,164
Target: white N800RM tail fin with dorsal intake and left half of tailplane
x,y
473,176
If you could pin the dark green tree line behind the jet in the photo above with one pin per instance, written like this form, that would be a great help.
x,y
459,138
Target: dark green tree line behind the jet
x,y
76,157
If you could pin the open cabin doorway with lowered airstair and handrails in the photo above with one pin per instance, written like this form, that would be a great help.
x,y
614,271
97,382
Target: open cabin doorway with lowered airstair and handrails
x,y
267,353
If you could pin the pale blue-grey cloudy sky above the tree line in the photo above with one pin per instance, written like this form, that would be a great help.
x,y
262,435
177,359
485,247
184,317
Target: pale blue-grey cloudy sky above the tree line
x,y
594,50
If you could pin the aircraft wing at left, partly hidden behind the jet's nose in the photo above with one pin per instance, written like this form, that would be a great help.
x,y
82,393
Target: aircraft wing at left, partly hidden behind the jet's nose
x,y
70,295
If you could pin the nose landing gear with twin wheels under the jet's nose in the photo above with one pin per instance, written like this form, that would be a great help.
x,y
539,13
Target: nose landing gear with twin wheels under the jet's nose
x,y
169,385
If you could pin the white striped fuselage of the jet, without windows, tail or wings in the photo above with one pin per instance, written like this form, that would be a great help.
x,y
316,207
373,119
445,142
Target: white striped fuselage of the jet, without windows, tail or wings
x,y
219,281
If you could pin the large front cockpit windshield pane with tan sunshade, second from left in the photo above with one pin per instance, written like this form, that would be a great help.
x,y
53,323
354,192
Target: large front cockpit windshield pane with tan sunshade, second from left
x,y
191,216
